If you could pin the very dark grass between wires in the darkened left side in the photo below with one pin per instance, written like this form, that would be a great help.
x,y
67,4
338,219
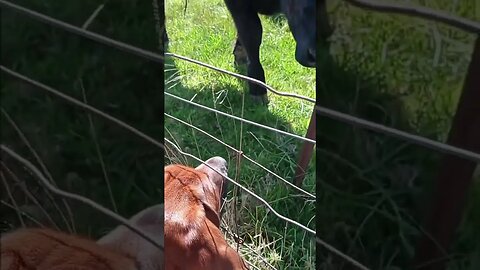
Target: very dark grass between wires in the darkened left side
x,y
125,86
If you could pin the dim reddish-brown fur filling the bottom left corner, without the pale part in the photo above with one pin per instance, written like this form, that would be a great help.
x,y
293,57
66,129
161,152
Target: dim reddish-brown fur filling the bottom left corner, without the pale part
x,y
43,249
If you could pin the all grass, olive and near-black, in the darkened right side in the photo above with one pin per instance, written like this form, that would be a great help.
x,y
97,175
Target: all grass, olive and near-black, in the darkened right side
x,y
374,190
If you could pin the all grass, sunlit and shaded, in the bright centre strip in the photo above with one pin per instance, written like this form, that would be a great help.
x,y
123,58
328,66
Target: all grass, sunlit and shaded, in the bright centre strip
x,y
206,33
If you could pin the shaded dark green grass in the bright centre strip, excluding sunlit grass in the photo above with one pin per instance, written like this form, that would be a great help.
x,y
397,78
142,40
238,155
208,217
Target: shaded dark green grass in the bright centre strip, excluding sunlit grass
x,y
275,151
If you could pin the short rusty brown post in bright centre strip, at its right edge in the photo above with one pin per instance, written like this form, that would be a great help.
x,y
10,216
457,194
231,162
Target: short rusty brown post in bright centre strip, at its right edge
x,y
306,153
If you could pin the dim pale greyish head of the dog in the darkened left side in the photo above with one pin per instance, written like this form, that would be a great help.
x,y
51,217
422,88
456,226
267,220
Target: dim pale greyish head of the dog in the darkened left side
x,y
127,242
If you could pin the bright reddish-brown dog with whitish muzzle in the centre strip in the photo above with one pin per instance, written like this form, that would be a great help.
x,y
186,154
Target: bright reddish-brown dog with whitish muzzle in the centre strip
x,y
192,219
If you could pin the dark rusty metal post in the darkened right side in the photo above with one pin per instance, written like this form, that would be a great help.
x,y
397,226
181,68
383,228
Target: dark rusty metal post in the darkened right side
x,y
455,175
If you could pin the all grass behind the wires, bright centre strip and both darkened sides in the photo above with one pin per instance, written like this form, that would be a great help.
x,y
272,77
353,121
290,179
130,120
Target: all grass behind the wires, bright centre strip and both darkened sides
x,y
371,190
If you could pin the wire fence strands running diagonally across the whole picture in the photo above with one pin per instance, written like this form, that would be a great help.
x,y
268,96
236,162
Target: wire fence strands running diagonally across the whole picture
x,y
463,24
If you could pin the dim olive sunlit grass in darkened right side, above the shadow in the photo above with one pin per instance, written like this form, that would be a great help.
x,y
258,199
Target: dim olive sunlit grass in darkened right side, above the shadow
x,y
423,62
